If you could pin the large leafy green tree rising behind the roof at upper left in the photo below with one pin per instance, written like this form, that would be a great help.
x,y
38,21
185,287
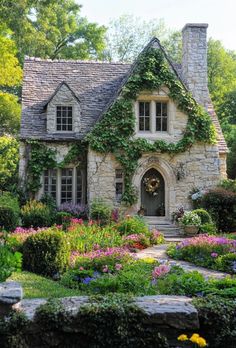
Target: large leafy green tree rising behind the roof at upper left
x,y
52,29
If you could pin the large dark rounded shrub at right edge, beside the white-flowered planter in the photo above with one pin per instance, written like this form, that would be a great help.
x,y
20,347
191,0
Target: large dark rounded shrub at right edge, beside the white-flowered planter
x,y
221,204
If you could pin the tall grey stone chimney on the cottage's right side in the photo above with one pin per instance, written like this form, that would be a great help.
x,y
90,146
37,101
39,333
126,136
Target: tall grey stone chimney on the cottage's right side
x,y
194,60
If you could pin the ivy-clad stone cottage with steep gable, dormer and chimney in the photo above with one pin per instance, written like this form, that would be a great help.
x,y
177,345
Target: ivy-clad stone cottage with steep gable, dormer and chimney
x,y
71,105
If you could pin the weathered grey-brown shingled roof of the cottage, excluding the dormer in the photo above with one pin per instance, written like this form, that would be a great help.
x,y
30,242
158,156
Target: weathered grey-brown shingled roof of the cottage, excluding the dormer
x,y
95,84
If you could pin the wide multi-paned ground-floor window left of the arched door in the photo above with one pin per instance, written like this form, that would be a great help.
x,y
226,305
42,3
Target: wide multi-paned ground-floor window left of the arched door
x,y
65,185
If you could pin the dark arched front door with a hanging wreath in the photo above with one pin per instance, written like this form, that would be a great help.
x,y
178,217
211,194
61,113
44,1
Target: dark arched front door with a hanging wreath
x,y
153,193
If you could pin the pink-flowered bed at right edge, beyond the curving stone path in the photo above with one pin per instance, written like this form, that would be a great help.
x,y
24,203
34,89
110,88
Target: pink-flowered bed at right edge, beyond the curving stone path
x,y
208,251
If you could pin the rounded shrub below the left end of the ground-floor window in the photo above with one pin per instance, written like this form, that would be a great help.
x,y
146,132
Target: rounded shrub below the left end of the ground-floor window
x,y
36,214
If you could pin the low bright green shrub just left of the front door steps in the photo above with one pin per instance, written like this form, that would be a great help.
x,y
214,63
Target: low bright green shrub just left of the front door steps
x,y
132,225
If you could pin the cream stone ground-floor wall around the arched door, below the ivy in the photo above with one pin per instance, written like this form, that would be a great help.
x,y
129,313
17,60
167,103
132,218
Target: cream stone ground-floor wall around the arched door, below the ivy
x,y
200,167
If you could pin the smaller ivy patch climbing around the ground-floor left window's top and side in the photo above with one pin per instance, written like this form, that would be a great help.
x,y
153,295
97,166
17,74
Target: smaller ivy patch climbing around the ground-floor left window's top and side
x,y
43,157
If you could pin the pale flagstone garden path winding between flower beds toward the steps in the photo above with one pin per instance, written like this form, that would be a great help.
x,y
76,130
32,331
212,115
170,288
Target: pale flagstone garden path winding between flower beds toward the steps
x,y
159,252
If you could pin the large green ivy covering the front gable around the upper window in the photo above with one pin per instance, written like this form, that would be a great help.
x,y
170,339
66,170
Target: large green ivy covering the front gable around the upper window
x,y
114,133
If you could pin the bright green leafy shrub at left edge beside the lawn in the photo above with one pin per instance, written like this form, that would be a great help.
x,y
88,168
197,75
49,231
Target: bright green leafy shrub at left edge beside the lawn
x,y
9,262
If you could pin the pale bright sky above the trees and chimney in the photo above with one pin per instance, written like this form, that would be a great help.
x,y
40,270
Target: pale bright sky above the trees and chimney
x,y
219,14
